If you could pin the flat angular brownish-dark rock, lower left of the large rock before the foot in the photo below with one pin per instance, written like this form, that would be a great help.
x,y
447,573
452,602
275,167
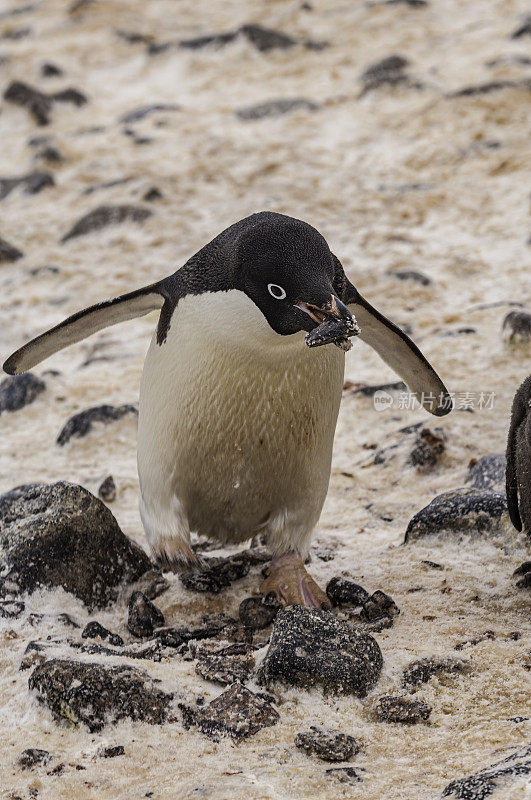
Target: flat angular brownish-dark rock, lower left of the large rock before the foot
x,y
237,713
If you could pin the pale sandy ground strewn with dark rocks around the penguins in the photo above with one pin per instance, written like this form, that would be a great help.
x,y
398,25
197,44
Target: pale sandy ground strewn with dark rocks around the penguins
x,y
131,134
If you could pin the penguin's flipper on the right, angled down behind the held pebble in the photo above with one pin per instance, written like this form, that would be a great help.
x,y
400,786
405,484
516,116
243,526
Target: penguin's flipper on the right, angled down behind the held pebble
x,y
400,353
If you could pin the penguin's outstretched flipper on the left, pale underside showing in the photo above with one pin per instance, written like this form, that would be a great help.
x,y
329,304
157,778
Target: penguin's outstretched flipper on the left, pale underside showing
x,y
85,323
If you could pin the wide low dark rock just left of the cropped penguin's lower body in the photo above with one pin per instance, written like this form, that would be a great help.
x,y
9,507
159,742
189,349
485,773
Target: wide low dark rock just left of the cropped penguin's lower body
x,y
458,511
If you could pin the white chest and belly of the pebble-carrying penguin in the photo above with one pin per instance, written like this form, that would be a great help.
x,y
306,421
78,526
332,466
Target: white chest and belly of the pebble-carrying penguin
x,y
236,422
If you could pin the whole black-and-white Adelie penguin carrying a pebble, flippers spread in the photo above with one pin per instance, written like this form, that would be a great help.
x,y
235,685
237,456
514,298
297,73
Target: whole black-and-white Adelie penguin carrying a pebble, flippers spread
x,y
241,389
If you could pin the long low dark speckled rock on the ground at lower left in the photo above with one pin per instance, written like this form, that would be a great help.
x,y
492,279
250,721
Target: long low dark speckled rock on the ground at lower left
x,y
96,695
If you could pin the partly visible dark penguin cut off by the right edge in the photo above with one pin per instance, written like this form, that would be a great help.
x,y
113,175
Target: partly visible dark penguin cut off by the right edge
x,y
518,469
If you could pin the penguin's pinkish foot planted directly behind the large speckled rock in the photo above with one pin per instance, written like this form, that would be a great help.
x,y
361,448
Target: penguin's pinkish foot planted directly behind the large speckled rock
x,y
292,585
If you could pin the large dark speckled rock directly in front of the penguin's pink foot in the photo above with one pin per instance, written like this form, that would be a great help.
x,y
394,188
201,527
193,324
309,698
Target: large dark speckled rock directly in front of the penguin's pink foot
x,y
309,647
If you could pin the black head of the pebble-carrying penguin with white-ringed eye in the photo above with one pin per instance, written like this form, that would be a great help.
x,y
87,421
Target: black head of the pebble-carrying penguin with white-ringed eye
x,y
286,268
